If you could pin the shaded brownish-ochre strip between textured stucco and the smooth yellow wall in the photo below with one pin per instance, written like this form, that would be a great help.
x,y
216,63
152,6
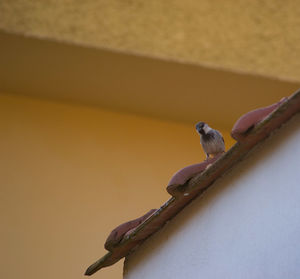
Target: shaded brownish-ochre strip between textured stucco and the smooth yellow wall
x,y
145,86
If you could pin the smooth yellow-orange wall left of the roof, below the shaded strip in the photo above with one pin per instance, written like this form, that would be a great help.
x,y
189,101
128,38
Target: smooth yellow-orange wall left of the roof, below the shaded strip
x,y
70,174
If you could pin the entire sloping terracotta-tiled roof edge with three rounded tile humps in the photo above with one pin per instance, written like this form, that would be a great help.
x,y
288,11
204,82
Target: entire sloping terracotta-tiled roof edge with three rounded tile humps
x,y
190,182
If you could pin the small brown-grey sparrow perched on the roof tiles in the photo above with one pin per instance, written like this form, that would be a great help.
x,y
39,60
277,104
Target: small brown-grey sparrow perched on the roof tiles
x,y
211,140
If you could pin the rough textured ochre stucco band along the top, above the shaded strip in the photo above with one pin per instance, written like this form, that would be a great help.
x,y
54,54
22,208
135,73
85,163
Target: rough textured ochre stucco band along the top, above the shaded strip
x,y
260,37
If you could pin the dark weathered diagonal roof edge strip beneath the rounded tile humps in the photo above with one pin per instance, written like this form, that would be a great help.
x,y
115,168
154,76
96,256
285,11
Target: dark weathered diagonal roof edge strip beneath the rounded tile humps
x,y
184,194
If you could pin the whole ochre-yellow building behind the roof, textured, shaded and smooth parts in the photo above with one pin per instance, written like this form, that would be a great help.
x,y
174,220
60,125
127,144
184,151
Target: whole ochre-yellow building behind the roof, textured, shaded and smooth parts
x,y
69,174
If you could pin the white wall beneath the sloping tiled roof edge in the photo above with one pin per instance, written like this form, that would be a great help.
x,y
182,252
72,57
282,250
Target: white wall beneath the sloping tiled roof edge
x,y
247,226
